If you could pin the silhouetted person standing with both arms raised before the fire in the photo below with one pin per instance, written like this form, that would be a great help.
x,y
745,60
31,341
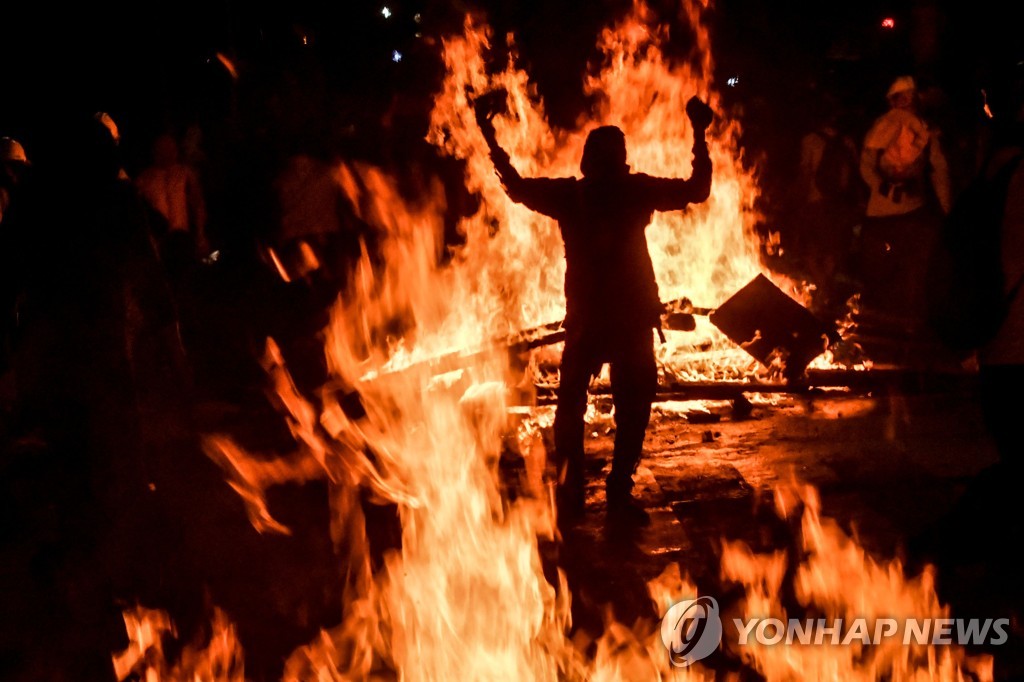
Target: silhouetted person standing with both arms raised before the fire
x,y
612,299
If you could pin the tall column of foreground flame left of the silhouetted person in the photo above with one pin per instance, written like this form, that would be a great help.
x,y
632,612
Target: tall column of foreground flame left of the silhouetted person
x,y
466,599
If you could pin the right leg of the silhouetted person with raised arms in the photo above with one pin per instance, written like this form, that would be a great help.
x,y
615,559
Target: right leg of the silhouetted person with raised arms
x,y
634,382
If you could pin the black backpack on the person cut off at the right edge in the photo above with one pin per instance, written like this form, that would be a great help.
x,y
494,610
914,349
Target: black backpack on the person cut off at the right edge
x,y
969,301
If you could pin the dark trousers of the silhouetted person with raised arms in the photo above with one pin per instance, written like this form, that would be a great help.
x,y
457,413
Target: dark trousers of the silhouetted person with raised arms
x,y
634,381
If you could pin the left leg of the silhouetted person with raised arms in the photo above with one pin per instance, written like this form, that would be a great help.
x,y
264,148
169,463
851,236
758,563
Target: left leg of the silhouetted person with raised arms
x,y
575,375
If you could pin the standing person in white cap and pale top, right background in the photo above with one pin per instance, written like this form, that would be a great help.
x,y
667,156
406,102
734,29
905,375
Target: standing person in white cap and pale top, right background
x,y
908,175
